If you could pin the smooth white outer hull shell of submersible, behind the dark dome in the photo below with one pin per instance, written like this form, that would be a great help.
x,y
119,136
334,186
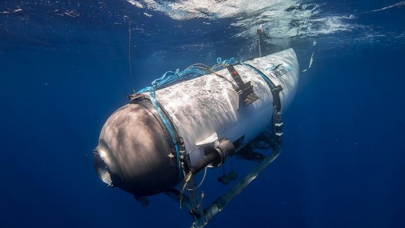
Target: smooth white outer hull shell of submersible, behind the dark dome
x,y
209,104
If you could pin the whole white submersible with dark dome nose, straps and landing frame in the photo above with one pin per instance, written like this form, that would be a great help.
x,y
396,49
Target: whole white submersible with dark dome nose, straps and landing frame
x,y
187,121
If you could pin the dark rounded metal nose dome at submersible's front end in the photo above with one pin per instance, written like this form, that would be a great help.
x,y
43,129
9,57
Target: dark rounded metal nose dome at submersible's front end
x,y
135,152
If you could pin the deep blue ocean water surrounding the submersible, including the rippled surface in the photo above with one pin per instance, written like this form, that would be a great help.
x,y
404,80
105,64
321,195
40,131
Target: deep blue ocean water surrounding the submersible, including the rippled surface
x,y
65,67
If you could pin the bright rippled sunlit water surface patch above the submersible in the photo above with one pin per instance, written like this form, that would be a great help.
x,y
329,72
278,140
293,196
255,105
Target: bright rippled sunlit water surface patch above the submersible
x,y
281,21
